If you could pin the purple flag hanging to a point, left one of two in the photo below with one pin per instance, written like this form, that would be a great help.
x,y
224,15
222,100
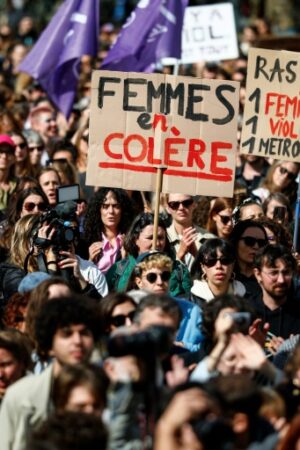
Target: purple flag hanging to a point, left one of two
x,y
55,58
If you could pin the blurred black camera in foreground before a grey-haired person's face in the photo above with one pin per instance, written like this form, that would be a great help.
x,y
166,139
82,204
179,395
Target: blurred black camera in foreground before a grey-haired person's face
x,y
146,344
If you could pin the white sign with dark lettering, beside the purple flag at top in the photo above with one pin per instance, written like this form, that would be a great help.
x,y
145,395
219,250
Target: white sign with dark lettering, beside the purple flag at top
x,y
209,33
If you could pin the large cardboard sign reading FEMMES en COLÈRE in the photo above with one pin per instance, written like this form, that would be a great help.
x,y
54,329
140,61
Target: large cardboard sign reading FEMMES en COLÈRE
x,y
140,122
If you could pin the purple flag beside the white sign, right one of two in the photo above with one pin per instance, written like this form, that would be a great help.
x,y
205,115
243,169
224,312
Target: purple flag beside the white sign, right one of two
x,y
153,31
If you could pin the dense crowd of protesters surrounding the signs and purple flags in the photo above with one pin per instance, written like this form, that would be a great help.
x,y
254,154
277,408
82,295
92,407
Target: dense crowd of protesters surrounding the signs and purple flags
x,y
109,340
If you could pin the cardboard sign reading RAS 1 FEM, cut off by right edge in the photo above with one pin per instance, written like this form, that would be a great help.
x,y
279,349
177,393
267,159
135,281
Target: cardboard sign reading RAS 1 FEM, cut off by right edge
x,y
271,126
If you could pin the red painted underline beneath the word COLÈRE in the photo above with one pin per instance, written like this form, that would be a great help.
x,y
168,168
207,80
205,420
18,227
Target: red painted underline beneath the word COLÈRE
x,y
170,172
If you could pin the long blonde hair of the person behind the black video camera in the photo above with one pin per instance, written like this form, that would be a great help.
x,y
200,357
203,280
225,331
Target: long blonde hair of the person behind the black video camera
x,y
21,242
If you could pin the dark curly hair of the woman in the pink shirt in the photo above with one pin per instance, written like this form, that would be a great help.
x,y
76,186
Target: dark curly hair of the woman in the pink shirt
x,y
93,225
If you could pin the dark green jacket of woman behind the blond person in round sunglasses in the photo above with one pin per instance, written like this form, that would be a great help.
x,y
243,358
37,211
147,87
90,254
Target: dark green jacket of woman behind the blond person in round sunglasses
x,y
118,275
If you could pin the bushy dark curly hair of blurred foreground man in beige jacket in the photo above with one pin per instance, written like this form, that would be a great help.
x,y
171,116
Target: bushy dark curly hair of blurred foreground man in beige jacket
x,y
63,312
